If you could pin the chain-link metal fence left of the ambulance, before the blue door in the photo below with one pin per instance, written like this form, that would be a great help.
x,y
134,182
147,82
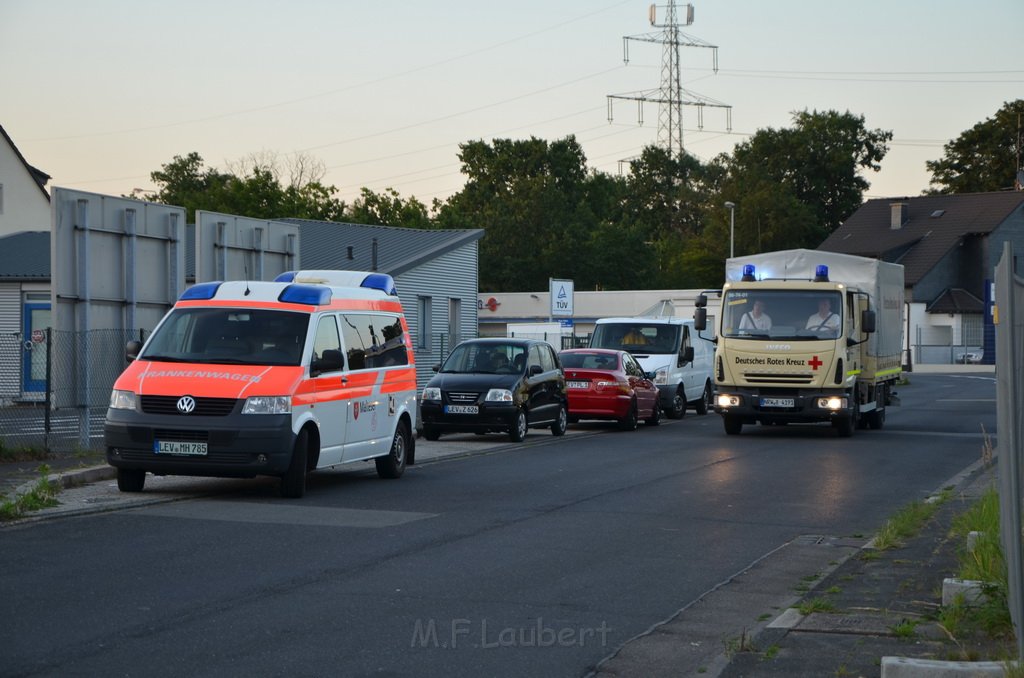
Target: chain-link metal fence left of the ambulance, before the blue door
x,y
55,388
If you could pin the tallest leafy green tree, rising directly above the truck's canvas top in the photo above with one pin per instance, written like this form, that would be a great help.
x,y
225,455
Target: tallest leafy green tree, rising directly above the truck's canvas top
x,y
819,162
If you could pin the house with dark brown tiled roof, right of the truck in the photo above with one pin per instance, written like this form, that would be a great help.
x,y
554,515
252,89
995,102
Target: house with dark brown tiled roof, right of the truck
x,y
950,246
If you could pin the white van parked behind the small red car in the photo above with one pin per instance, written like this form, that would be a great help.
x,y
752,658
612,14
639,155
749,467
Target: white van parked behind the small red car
x,y
670,349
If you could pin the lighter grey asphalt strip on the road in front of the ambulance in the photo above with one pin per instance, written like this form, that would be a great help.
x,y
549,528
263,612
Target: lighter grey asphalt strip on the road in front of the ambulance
x,y
281,514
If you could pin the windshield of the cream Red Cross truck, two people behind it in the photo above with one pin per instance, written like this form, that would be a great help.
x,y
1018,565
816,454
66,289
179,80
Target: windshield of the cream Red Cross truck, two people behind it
x,y
789,315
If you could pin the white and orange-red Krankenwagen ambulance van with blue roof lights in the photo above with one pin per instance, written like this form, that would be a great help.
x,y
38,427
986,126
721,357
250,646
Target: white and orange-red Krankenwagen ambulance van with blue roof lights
x,y
243,379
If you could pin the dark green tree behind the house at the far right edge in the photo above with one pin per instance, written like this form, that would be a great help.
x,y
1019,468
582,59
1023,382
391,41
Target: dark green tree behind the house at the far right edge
x,y
984,158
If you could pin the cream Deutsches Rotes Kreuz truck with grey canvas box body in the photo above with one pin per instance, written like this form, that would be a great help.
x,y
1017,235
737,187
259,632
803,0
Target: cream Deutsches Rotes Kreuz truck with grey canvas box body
x,y
808,336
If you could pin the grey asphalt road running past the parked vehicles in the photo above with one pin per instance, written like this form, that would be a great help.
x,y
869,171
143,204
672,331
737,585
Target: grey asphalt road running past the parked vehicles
x,y
539,560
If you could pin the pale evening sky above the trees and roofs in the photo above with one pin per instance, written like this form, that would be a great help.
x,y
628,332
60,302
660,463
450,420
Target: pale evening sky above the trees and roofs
x,y
100,95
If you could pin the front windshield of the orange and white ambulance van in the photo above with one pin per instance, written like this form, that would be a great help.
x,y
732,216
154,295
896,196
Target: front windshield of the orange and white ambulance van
x,y
230,336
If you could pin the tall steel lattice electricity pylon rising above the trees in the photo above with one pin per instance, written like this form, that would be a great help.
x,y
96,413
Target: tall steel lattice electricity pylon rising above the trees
x,y
671,98
